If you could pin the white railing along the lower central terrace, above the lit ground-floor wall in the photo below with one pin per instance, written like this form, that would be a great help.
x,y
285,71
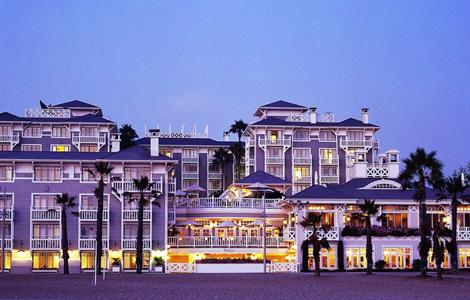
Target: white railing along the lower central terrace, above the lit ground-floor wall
x,y
226,242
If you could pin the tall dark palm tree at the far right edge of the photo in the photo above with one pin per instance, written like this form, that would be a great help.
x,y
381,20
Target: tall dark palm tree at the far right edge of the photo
x,y
453,189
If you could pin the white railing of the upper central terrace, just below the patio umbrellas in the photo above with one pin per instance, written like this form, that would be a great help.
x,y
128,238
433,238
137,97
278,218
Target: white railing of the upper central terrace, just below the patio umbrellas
x,y
226,203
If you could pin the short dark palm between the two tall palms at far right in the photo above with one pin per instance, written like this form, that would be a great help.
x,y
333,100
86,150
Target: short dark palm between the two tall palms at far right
x,y
440,241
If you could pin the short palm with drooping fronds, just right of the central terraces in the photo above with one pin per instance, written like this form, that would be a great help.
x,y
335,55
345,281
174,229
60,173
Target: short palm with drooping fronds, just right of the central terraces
x,y
312,221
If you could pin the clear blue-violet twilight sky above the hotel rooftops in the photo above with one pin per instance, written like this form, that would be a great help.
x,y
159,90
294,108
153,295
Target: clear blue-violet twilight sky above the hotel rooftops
x,y
214,62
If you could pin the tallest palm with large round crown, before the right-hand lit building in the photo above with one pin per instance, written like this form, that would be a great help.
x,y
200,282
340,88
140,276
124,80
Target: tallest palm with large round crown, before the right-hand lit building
x,y
422,169
